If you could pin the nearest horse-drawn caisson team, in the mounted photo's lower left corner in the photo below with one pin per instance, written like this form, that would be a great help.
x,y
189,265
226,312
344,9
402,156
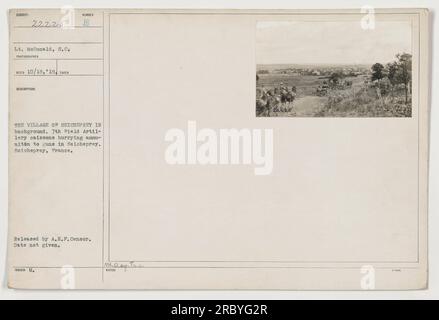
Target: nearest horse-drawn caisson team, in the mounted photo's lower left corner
x,y
274,101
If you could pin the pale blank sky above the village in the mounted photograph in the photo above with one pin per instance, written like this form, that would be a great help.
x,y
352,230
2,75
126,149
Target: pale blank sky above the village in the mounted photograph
x,y
283,42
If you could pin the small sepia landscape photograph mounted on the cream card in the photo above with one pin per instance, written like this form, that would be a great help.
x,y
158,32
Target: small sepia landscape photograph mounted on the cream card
x,y
333,69
